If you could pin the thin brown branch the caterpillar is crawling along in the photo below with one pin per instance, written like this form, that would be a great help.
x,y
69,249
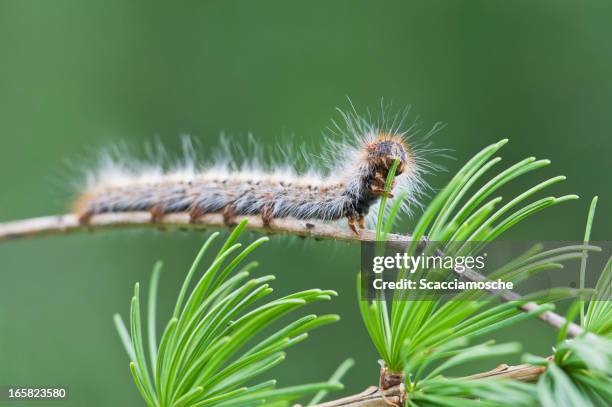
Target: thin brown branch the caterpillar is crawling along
x,y
69,223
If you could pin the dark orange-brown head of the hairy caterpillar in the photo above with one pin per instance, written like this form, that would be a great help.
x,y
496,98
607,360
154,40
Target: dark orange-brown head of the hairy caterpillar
x,y
384,150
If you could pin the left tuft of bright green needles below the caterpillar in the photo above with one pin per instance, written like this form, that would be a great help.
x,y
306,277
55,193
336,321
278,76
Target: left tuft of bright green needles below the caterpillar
x,y
202,358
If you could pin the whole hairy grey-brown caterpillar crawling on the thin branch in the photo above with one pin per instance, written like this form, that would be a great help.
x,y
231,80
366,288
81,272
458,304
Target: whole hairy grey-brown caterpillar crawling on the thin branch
x,y
352,184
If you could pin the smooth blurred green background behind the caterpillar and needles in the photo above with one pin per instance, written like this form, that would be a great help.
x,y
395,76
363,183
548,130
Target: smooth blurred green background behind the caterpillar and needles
x,y
78,76
